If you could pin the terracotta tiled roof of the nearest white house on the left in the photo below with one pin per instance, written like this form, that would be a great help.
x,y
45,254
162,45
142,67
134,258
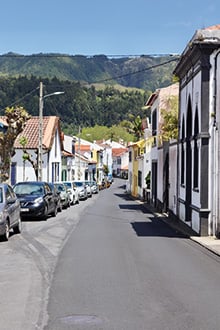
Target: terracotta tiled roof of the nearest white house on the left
x,y
31,132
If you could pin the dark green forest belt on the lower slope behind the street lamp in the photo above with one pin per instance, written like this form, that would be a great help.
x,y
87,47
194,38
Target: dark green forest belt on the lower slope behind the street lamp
x,y
78,106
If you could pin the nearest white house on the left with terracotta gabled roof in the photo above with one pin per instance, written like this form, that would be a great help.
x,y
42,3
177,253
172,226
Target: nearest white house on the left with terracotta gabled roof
x,y
52,141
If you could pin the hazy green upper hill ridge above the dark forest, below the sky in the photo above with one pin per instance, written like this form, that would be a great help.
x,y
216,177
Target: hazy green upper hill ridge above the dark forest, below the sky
x,y
144,72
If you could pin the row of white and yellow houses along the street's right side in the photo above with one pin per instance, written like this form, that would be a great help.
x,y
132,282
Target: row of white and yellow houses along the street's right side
x,y
185,173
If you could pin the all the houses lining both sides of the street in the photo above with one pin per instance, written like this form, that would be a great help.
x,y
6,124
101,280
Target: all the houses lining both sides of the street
x,y
183,173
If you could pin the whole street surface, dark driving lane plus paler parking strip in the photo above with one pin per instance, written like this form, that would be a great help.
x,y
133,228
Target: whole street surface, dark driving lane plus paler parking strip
x,y
107,264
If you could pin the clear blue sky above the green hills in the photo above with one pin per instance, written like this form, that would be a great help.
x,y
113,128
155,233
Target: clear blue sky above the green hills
x,y
94,27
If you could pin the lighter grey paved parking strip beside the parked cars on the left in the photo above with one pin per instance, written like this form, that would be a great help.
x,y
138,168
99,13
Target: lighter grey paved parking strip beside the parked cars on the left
x,y
27,263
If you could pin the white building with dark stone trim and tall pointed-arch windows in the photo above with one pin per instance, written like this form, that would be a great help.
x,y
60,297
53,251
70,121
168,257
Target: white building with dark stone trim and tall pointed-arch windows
x,y
199,153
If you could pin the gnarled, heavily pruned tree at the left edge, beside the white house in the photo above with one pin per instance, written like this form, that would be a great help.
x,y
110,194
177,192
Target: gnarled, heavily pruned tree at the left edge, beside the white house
x,y
16,118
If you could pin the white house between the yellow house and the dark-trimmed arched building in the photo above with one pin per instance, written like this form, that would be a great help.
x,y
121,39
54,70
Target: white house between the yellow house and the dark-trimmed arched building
x,y
163,161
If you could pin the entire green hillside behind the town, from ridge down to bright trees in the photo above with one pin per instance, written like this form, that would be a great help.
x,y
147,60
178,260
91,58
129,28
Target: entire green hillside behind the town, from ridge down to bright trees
x,y
104,96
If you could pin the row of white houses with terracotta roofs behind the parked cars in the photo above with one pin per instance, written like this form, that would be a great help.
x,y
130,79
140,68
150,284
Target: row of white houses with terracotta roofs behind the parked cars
x,y
64,157
